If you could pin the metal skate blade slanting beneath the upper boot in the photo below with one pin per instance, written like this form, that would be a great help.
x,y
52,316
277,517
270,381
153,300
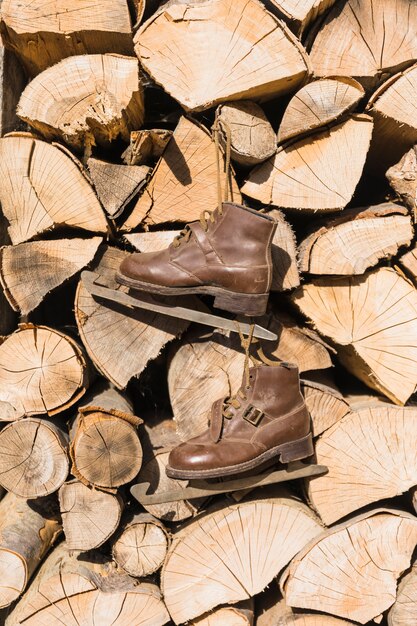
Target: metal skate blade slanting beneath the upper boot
x,y
96,286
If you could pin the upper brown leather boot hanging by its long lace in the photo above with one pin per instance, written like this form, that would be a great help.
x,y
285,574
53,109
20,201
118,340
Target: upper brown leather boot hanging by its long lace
x,y
227,254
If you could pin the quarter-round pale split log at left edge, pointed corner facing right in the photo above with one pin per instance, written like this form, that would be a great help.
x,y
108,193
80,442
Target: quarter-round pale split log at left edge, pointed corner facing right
x,y
42,189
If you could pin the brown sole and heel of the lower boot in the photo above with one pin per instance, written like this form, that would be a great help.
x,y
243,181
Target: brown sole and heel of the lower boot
x,y
287,452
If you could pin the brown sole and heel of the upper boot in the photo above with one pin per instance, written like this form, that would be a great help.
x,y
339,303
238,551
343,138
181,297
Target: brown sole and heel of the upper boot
x,y
246,304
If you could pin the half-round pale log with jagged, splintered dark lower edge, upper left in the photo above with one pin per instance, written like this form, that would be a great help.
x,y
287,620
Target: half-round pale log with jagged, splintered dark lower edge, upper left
x,y
85,100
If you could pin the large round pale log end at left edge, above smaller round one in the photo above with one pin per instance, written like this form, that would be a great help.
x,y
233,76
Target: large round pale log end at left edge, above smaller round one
x,y
41,371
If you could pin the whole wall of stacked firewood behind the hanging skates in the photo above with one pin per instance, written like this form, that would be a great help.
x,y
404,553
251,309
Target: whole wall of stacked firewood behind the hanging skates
x,y
106,147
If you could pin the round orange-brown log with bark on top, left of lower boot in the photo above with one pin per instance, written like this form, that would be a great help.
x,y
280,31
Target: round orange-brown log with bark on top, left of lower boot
x,y
105,447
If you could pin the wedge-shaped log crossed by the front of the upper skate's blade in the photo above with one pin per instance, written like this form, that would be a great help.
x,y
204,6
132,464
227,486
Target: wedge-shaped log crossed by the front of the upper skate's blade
x,y
120,341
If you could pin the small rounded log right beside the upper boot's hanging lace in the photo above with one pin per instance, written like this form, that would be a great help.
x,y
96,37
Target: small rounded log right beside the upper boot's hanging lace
x,y
252,138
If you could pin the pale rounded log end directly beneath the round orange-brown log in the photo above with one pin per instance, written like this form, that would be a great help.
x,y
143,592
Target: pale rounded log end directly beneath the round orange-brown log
x,y
89,516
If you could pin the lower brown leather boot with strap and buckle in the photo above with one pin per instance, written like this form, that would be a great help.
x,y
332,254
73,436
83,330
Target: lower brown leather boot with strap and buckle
x,y
267,418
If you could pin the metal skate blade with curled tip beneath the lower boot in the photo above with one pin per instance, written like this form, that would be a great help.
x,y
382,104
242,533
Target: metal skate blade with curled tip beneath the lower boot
x,y
205,489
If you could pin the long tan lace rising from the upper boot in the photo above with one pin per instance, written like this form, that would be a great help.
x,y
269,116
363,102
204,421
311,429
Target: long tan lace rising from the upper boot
x,y
208,216
